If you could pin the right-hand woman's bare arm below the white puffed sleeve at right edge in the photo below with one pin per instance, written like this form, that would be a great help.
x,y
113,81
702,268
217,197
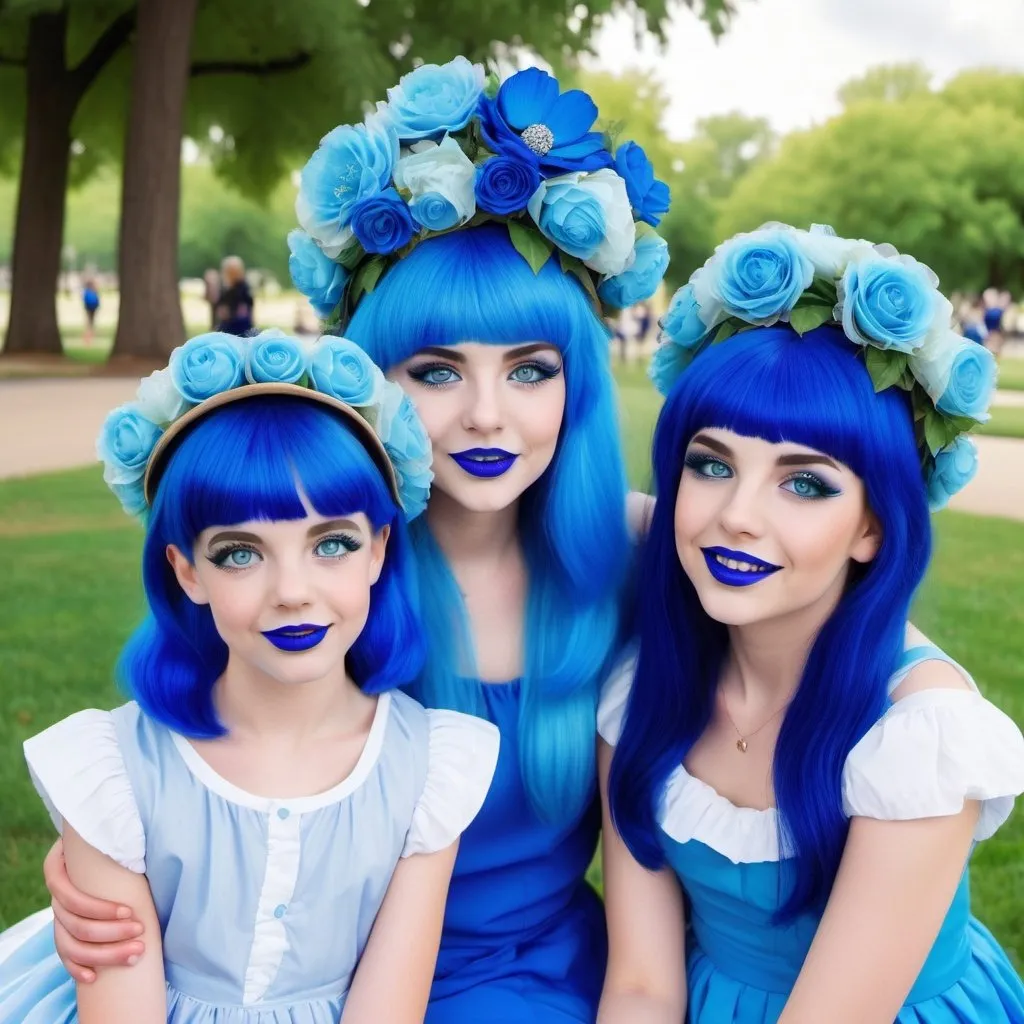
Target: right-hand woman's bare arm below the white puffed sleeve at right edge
x,y
894,886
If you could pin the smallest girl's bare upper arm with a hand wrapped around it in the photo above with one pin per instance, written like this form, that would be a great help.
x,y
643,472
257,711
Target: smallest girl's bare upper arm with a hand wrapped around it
x,y
120,996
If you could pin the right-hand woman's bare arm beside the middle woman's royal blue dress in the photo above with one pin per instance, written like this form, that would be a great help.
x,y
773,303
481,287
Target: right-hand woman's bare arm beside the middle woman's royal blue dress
x,y
646,983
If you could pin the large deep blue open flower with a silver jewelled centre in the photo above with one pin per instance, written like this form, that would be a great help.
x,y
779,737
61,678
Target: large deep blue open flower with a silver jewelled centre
x,y
530,120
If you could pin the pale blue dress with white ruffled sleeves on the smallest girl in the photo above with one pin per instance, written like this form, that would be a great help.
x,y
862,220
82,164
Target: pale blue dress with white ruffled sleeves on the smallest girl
x,y
266,906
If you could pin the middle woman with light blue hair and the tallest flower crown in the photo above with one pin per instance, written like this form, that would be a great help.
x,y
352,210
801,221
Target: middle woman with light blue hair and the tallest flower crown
x,y
524,549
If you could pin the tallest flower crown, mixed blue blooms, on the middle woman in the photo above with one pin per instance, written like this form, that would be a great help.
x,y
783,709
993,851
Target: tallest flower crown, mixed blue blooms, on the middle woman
x,y
453,149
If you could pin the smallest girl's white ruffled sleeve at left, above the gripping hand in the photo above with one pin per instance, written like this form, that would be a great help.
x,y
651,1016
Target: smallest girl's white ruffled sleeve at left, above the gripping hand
x,y
79,773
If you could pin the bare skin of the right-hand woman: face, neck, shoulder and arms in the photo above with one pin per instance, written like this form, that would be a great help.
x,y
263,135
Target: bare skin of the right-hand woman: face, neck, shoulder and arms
x,y
794,508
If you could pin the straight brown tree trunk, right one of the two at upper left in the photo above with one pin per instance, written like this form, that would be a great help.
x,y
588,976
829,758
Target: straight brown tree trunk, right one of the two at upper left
x,y
150,322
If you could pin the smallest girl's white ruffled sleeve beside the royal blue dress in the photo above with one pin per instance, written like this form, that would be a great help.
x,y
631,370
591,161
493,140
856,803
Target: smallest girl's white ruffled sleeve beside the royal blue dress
x,y
462,756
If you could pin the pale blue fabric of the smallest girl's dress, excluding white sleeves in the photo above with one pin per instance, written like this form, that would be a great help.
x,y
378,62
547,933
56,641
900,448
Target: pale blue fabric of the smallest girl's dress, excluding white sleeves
x,y
206,860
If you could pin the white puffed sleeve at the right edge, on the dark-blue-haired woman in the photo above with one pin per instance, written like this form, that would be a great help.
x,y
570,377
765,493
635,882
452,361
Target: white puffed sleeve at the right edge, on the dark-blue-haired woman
x,y
931,752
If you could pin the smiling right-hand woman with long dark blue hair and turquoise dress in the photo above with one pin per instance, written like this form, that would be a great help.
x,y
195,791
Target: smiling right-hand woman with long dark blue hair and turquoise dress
x,y
813,771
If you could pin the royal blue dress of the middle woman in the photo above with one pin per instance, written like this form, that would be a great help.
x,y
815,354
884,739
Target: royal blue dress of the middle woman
x,y
525,938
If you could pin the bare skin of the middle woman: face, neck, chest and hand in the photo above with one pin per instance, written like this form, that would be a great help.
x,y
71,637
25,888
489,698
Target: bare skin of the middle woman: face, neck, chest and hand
x,y
472,396
